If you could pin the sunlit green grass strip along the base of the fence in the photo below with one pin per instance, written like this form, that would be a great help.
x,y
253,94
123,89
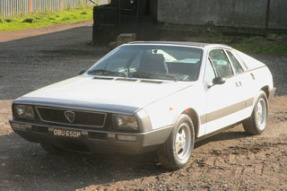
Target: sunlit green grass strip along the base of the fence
x,y
37,20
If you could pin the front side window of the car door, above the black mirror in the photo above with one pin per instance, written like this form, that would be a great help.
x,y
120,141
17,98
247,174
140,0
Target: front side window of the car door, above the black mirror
x,y
221,63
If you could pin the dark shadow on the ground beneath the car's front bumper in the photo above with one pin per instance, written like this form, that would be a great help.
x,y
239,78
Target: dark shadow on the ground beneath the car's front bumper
x,y
26,166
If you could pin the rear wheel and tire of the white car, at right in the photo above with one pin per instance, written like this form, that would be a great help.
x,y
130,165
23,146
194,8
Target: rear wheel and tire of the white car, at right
x,y
256,124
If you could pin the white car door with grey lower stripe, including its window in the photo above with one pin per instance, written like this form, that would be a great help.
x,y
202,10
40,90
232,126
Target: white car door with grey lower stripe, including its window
x,y
223,101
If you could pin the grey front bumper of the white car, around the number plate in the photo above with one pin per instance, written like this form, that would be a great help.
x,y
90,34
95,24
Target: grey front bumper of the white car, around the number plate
x,y
93,141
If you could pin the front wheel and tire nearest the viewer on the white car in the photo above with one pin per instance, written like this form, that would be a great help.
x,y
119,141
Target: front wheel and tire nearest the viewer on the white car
x,y
176,151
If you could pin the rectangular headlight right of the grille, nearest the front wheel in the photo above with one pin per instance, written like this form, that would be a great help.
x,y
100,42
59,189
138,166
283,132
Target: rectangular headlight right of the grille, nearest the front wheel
x,y
125,122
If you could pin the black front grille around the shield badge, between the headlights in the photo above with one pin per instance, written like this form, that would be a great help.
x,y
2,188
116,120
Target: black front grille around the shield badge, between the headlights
x,y
81,118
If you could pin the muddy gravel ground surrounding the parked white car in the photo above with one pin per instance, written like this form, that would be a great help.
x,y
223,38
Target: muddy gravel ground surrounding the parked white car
x,y
231,160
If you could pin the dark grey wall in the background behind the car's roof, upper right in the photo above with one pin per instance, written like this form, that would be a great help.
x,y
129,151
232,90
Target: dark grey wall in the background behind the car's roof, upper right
x,y
230,13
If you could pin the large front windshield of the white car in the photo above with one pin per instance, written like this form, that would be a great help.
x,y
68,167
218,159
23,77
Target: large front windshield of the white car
x,y
161,62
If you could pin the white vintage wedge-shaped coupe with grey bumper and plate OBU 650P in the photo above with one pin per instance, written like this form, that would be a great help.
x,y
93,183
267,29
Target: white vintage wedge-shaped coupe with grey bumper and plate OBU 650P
x,y
146,96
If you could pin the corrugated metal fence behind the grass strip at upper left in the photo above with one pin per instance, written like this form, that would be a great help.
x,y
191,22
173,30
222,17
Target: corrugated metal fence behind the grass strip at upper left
x,y
9,8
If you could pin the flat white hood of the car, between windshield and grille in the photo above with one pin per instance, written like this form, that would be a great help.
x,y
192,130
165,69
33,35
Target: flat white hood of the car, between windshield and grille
x,y
106,94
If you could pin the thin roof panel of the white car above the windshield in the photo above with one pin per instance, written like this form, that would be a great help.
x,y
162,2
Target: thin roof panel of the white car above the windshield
x,y
179,43
